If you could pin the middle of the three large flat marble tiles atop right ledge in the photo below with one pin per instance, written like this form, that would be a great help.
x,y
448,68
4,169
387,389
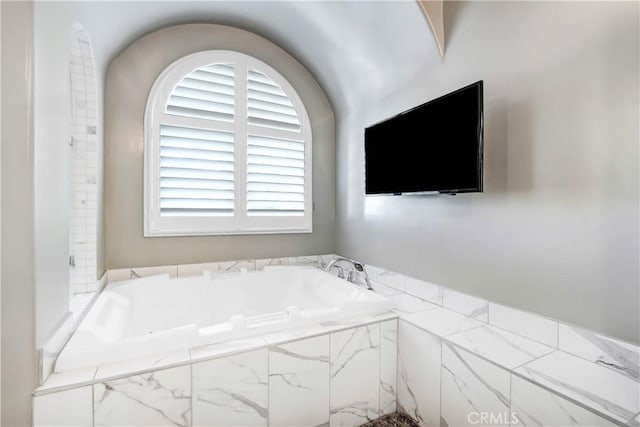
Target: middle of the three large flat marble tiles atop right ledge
x,y
499,346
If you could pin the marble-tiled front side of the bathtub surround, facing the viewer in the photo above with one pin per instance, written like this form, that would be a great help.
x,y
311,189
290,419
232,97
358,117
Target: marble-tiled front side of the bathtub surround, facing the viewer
x,y
339,375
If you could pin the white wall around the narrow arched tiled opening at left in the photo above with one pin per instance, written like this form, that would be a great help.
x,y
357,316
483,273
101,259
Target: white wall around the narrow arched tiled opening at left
x,y
53,23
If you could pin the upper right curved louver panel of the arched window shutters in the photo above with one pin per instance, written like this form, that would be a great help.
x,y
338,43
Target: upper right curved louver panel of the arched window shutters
x,y
268,105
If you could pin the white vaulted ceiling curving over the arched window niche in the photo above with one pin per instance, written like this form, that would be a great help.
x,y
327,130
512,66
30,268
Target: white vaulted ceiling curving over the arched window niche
x,y
354,49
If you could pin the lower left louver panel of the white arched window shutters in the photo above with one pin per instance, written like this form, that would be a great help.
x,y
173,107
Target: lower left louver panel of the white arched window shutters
x,y
196,172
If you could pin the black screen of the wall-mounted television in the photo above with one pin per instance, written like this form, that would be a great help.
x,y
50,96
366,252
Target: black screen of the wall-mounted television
x,y
436,146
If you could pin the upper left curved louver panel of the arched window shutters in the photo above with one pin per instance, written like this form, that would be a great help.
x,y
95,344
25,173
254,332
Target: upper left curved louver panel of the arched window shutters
x,y
205,93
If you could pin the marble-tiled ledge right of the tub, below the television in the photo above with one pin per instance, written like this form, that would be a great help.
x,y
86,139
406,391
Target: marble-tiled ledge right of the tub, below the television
x,y
466,358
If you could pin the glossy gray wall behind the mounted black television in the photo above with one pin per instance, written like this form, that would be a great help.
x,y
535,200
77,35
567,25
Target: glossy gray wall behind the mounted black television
x,y
556,230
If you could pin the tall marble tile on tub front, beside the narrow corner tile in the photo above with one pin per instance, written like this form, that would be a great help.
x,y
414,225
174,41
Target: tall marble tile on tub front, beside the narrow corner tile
x,y
355,376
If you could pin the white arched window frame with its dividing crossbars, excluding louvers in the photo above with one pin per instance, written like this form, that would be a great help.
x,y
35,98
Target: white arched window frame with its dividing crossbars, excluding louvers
x,y
156,225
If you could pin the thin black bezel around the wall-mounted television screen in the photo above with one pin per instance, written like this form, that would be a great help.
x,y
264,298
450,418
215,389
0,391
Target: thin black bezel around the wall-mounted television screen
x,y
480,156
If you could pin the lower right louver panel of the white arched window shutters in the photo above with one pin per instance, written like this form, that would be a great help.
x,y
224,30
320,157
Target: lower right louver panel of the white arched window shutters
x,y
275,177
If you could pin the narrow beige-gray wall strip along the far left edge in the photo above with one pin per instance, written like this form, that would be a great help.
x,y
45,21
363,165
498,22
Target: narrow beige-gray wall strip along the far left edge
x,y
18,373
